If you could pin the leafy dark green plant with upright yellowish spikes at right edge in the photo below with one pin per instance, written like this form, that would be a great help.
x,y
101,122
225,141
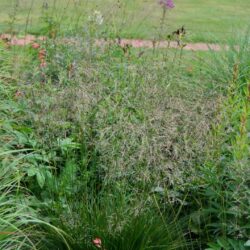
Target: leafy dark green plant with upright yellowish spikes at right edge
x,y
221,184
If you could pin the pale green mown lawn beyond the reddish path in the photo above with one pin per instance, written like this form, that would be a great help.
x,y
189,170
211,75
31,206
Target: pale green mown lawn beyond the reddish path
x,y
205,21
